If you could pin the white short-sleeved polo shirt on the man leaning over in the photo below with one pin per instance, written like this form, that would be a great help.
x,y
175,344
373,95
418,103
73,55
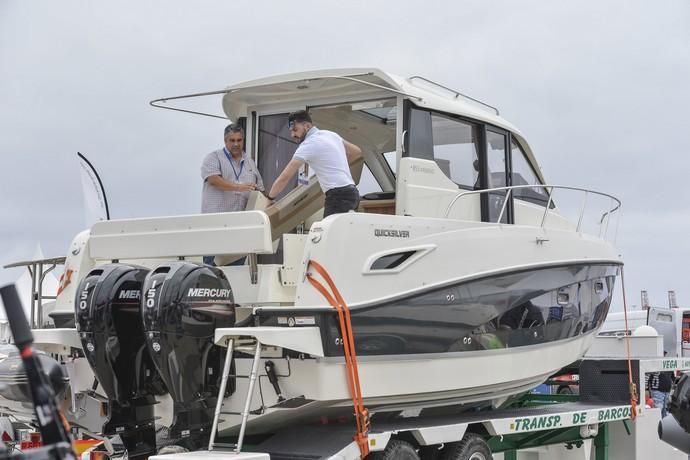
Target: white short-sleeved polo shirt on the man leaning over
x,y
324,152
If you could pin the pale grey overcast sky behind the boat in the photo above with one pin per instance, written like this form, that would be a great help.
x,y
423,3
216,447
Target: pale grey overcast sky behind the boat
x,y
601,91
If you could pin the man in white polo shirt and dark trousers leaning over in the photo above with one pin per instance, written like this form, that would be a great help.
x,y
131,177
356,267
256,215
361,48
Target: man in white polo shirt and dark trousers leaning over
x,y
329,155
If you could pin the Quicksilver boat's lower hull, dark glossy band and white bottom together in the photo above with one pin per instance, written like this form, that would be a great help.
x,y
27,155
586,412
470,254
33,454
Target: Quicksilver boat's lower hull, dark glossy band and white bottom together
x,y
466,344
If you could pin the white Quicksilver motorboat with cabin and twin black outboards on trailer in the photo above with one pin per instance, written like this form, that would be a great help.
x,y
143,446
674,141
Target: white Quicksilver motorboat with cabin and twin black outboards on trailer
x,y
467,279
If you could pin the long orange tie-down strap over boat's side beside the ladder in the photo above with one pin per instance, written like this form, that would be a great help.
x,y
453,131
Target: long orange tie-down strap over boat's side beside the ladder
x,y
337,302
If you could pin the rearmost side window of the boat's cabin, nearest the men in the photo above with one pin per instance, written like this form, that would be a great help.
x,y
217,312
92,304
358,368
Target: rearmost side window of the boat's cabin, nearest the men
x,y
451,143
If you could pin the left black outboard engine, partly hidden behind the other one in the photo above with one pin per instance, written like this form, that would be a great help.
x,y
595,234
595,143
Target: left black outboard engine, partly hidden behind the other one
x,y
108,319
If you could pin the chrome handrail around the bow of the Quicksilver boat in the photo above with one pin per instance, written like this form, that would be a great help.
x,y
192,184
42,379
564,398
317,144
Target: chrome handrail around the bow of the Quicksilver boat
x,y
615,202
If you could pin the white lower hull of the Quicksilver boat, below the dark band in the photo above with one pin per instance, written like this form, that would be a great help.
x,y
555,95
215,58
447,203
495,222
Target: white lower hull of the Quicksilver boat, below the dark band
x,y
457,381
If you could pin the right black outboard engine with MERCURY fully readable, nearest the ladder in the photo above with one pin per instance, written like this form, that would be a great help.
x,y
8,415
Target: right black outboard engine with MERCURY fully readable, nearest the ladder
x,y
183,304
